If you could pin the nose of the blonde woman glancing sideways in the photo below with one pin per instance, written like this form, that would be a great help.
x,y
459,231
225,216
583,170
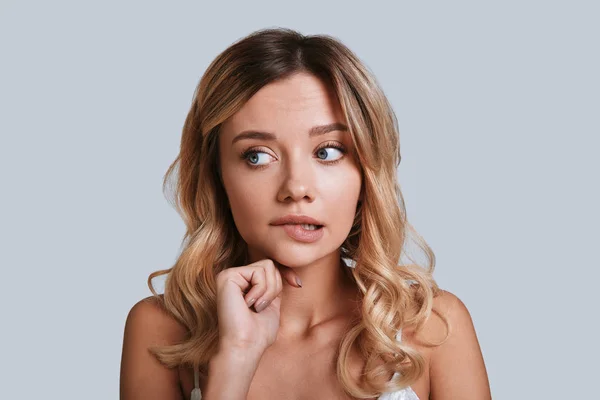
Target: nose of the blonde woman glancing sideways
x,y
297,182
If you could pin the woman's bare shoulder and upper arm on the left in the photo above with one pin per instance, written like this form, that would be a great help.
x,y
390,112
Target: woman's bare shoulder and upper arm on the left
x,y
142,376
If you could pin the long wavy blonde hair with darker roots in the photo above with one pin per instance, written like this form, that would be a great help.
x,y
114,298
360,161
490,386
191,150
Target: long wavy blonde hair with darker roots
x,y
376,241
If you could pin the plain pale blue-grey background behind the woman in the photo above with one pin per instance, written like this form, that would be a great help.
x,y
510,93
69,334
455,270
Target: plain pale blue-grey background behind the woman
x,y
498,105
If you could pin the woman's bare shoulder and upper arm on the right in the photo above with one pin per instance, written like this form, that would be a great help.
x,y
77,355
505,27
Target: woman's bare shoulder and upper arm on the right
x,y
456,367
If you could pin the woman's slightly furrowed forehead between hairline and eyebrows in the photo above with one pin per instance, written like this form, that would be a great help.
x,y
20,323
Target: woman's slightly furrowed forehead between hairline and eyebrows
x,y
292,105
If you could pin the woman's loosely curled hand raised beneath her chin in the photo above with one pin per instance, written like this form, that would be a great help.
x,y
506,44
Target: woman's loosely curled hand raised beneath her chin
x,y
239,289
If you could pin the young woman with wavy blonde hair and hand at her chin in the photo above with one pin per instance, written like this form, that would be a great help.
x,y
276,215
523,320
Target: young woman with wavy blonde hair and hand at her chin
x,y
289,284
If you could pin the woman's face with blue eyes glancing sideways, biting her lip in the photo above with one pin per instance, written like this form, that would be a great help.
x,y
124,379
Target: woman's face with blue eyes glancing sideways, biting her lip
x,y
284,169
